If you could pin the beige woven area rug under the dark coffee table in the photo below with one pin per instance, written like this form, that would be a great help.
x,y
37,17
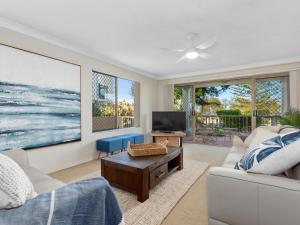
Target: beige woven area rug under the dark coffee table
x,y
163,197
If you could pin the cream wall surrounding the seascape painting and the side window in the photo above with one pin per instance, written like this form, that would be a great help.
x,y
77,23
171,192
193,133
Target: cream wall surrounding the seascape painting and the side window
x,y
49,159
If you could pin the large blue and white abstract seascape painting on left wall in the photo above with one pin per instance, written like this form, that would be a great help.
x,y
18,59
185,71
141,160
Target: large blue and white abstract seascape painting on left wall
x,y
39,100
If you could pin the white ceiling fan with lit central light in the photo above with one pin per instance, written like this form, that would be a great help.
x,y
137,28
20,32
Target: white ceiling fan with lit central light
x,y
194,50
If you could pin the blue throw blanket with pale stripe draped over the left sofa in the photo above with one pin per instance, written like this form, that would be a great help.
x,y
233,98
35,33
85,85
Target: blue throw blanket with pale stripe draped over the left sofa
x,y
88,202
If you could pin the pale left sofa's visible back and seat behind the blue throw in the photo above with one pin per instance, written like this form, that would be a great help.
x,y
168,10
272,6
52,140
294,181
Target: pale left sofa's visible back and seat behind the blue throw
x,y
42,183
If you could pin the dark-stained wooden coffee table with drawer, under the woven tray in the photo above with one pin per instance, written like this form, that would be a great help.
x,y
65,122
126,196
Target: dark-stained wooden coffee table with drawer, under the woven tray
x,y
138,174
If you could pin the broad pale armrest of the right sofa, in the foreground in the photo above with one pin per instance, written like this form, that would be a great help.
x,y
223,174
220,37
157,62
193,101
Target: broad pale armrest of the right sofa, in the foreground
x,y
238,197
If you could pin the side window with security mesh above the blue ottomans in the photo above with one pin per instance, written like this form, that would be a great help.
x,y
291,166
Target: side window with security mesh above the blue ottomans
x,y
115,102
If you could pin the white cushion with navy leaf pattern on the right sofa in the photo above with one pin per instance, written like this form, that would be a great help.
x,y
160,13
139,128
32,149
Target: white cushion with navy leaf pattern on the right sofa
x,y
272,156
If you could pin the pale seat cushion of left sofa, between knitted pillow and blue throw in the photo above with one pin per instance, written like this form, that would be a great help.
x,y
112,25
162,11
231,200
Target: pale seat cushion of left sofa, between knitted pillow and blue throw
x,y
42,183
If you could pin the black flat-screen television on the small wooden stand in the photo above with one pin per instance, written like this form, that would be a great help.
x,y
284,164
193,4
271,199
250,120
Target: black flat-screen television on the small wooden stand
x,y
168,121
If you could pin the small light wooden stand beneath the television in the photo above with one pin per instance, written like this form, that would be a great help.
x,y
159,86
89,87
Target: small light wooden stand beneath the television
x,y
174,138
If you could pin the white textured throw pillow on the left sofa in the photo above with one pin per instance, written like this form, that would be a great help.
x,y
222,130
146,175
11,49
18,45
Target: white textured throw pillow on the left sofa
x,y
15,186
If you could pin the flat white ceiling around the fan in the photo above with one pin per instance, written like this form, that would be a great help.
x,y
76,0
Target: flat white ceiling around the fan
x,y
132,32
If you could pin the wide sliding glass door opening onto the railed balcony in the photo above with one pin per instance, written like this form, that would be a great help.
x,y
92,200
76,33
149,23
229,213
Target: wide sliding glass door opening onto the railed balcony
x,y
217,111
